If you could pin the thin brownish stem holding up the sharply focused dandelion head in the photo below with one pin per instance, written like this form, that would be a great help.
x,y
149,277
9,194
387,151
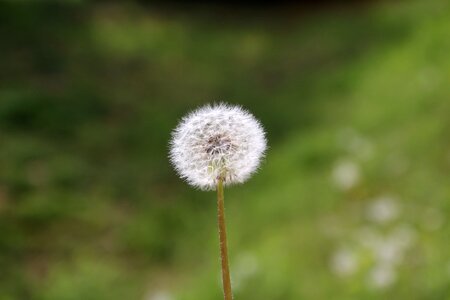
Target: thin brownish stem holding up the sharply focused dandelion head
x,y
226,281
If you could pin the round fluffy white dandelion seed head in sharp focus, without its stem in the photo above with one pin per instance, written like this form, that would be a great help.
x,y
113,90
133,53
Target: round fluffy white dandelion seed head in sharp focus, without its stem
x,y
218,141
